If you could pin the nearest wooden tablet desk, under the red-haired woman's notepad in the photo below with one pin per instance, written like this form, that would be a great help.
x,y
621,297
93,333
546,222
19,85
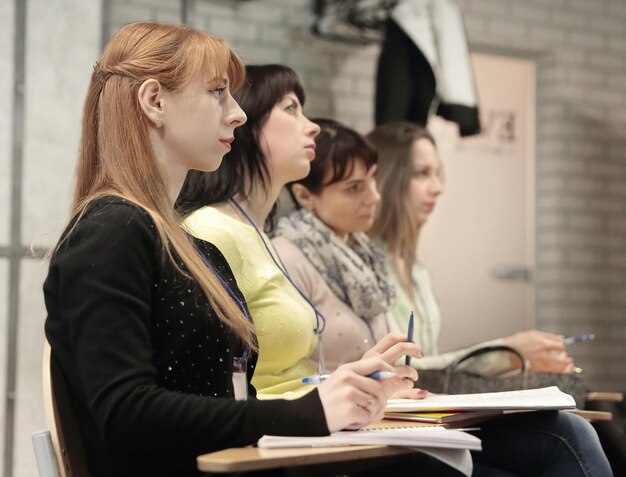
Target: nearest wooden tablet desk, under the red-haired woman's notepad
x,y
252,458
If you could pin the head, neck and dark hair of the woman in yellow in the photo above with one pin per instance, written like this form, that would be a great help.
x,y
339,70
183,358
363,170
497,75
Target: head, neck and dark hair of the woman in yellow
x,y
249,175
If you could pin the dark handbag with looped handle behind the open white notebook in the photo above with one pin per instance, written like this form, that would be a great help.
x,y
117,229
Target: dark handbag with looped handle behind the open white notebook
x,y
453,380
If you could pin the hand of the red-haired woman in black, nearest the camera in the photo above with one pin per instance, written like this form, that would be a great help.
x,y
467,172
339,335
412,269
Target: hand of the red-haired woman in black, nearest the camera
x,y
350,399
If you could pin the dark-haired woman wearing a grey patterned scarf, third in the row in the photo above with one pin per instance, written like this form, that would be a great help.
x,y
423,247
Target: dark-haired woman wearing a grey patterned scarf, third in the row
x,y
323,245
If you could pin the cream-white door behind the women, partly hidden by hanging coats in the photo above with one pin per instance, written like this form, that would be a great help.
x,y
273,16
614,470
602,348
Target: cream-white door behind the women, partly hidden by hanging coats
x,y
479,242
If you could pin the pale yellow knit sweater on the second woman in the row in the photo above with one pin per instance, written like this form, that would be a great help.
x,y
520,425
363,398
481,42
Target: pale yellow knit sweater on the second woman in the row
x,y
284,321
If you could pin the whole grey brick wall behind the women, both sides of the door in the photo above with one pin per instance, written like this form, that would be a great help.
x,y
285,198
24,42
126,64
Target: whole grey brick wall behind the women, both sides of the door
x,y
580,48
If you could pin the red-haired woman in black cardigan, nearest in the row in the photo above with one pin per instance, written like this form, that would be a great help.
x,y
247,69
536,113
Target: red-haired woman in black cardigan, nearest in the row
x,y
149,328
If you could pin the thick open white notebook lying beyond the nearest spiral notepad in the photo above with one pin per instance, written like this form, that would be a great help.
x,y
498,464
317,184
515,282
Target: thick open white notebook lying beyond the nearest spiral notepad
x,y
527,399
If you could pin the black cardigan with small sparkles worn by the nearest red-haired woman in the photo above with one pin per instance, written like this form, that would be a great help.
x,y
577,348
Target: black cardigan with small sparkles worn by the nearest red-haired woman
x,y
148,363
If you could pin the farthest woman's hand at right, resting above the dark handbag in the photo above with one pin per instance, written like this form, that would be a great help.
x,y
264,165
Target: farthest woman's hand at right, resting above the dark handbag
x,y
544,350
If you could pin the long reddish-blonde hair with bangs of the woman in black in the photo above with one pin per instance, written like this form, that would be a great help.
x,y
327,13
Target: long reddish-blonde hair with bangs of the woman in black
x,y
116,156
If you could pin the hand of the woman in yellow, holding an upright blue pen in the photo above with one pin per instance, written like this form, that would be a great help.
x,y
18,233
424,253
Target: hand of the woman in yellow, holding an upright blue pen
x,y
391,348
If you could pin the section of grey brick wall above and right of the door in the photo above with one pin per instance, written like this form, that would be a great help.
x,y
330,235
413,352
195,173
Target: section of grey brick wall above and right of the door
x,y
581,165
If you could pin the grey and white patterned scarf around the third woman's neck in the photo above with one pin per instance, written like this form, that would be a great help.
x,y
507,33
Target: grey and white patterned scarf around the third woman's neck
x,y
355,271
